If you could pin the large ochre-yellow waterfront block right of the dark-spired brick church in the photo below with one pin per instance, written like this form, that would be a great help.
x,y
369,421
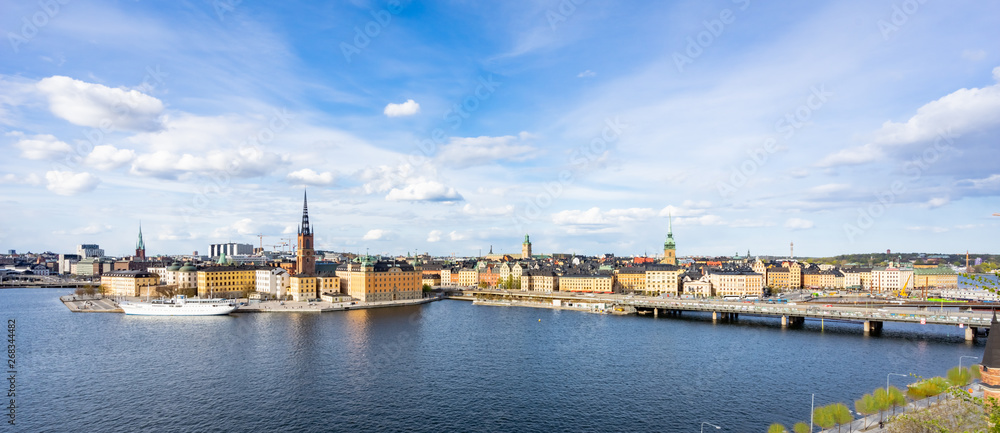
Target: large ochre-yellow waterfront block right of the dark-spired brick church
x,y
371,281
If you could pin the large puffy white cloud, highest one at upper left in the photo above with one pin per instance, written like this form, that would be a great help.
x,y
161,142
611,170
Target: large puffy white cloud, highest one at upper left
x,y
99,106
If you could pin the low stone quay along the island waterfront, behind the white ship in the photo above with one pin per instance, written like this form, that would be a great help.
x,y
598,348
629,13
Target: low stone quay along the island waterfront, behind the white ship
x,y
99,304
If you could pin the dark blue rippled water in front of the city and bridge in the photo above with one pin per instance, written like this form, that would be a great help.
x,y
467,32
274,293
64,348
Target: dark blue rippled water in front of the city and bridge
x,y
445,366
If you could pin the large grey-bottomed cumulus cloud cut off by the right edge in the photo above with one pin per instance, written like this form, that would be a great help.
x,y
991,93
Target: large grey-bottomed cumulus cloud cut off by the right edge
x,y
958,113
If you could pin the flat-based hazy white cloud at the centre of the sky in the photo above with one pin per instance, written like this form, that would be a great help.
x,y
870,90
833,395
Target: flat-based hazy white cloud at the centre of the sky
x,y
465,152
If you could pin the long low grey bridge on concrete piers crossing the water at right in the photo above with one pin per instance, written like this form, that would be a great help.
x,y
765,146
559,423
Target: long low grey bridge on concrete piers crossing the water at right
x,y
871,316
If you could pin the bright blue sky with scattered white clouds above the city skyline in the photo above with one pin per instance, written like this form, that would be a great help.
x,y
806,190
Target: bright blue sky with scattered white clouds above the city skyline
x,y
454,127
